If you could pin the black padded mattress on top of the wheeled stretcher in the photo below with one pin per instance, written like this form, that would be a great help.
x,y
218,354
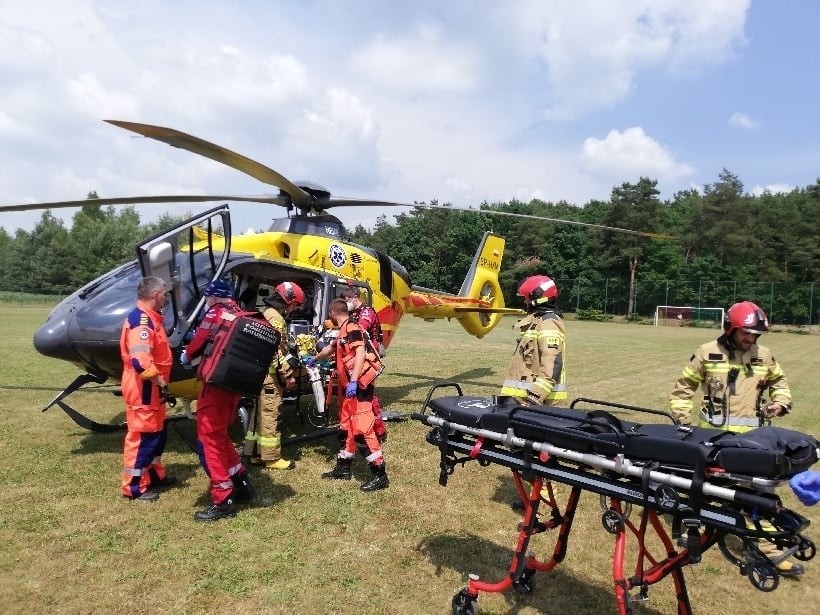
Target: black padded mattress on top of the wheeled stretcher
x,y
765,452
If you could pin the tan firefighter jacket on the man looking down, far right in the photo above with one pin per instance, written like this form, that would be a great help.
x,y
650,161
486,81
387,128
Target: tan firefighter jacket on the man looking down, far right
x,y
733,384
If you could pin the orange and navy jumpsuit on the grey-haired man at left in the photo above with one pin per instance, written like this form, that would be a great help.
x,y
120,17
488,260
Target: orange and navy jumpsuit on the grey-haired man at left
x,y
145,354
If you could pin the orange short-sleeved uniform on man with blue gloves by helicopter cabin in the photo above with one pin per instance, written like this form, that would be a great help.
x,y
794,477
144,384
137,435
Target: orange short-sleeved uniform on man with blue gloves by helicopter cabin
x,y
356,414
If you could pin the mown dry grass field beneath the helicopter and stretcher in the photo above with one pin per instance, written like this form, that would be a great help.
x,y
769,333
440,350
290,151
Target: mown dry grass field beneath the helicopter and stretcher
x,y
72,545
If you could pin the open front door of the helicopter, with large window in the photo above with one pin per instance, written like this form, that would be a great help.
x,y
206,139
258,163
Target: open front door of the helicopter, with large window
x,y
188,256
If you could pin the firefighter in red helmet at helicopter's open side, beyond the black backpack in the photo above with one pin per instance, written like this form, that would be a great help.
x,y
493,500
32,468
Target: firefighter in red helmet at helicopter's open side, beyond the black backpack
x,y
263,443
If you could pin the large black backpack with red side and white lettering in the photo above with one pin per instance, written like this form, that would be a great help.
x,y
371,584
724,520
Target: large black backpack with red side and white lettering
x,y
239,355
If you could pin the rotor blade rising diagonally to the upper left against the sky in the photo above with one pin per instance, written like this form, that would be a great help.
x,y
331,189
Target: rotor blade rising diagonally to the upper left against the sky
x,y
218,153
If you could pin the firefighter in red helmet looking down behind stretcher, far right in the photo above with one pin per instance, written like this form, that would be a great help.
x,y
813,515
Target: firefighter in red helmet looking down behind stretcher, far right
x,y
735,374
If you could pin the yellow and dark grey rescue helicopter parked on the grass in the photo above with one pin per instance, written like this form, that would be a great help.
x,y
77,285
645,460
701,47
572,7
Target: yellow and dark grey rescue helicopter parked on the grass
x,y
307,247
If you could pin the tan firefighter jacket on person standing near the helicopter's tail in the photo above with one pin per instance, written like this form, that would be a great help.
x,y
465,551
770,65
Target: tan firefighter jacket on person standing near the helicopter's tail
x,y
536,370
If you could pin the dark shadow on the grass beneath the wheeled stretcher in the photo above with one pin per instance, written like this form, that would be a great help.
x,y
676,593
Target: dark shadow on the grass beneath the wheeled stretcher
x,y
554,592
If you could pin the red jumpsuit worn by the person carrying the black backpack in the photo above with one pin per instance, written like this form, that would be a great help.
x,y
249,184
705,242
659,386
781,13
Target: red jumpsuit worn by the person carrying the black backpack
x,y
215,411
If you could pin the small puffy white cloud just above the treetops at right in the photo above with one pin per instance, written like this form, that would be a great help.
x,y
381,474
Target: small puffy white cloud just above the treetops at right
x,y
631,154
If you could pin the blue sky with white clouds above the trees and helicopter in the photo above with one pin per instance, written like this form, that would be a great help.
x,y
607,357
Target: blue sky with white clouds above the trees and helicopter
x,y
462,101
